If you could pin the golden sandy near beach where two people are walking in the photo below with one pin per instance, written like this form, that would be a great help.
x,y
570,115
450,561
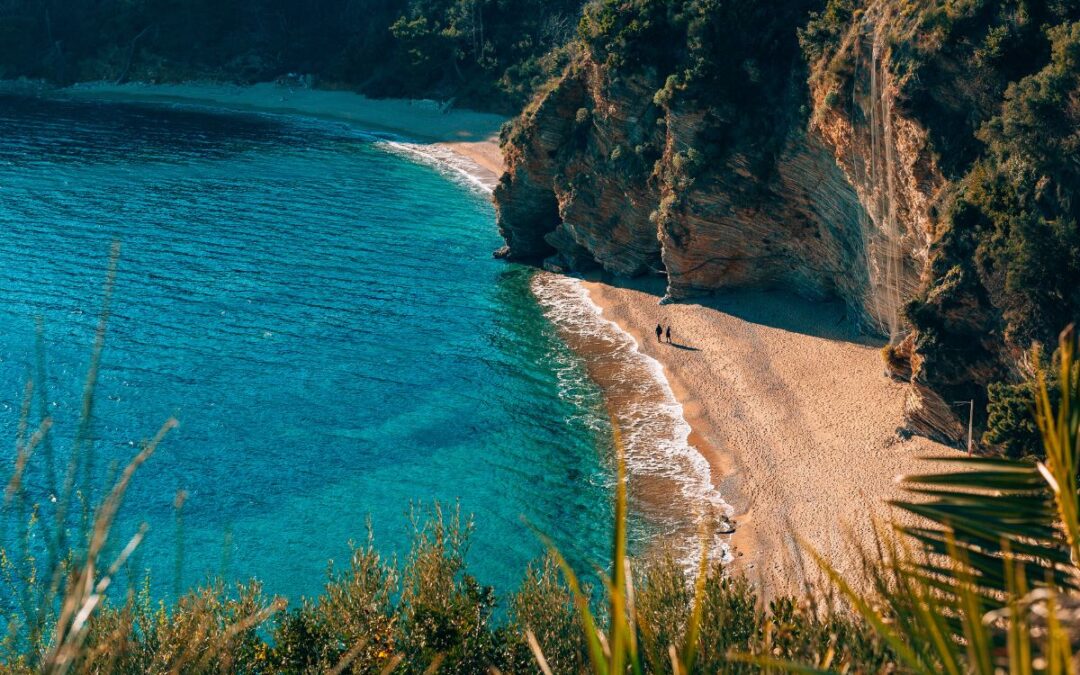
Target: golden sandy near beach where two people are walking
x,y
795,415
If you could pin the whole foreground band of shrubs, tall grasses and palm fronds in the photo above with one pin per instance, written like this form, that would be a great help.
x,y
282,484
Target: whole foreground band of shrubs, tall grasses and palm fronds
x,y
992,589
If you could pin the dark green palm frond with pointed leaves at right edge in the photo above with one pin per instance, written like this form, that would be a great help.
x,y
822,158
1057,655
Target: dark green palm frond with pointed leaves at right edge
x,y
989,506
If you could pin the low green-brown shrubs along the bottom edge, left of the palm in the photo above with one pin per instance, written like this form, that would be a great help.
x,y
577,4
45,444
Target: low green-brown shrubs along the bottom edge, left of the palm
x,y
374,616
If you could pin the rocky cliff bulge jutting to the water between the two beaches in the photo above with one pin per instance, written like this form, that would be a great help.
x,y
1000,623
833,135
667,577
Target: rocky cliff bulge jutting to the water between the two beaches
x,y
577,195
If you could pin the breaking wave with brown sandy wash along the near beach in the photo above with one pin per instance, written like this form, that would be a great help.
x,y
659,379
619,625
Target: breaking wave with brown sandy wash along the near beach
x,y
657,437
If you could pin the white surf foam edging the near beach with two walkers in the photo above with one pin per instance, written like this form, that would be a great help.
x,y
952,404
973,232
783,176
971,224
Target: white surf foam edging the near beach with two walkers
x,y
671,456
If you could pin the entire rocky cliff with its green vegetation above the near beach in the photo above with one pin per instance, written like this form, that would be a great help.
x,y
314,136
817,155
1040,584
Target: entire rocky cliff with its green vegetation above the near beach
x,y
833,171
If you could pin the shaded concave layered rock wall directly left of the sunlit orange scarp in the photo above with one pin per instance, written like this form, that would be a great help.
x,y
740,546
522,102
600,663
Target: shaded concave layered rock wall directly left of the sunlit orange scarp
x,y
732,227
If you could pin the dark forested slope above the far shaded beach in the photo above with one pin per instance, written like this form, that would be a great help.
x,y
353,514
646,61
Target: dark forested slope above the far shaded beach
x,y
485,53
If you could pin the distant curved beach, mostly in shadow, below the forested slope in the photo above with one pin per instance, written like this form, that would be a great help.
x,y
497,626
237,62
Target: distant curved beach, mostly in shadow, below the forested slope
x,y
466,133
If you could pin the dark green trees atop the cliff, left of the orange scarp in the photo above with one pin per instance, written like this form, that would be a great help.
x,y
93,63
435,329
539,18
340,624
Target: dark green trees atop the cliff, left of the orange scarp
x,y
737,63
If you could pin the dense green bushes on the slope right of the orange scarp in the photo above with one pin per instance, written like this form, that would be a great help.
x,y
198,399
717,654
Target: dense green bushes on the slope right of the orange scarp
x,y
1014,242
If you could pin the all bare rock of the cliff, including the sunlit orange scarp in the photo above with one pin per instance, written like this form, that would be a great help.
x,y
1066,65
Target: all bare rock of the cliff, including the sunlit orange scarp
x,y
604,172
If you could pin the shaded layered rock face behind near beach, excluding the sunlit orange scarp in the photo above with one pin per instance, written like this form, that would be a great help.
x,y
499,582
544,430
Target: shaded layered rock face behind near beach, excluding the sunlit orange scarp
x,y
601,175
